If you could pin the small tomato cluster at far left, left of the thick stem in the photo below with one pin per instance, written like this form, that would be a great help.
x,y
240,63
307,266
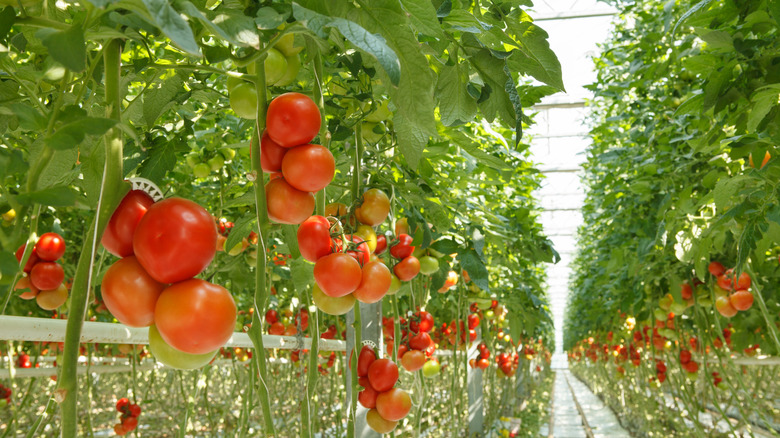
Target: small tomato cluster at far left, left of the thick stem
x,y
44,277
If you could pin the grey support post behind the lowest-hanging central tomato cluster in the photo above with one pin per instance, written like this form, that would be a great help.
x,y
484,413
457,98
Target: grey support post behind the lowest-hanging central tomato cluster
x,y
371,319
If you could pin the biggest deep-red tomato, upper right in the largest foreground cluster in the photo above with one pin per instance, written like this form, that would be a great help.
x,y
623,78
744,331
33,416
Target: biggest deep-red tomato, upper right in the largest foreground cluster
x,y
175,240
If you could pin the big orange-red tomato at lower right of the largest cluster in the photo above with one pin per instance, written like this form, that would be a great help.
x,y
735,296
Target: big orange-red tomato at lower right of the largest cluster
x,y
195,316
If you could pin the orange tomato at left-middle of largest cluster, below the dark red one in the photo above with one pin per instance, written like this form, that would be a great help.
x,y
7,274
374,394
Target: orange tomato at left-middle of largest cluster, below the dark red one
x,y
130,293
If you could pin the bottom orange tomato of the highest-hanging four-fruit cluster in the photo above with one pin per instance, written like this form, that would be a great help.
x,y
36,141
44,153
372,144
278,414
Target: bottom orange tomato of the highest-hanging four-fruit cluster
x,y
286,204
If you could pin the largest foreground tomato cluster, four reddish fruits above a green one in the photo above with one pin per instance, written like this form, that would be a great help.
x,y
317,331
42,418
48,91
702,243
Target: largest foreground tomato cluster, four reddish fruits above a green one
x,y
162,246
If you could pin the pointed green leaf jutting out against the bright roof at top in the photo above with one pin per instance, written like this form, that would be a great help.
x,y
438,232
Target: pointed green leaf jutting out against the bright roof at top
x,y
534,56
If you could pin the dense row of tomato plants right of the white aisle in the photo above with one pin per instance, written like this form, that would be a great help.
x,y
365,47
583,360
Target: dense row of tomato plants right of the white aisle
x,y
679,247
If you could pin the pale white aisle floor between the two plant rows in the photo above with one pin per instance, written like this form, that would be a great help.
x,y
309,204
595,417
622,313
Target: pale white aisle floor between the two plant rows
x,y
567,422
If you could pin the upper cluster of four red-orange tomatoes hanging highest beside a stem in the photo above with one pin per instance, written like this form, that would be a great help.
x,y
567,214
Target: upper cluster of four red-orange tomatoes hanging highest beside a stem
x,y
297,168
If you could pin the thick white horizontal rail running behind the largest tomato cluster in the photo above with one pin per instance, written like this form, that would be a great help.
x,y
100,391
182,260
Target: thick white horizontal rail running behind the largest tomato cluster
x,y
23,328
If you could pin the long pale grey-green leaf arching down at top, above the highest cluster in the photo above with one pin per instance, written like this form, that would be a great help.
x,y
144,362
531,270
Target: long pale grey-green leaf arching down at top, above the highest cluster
x,y
357,35
